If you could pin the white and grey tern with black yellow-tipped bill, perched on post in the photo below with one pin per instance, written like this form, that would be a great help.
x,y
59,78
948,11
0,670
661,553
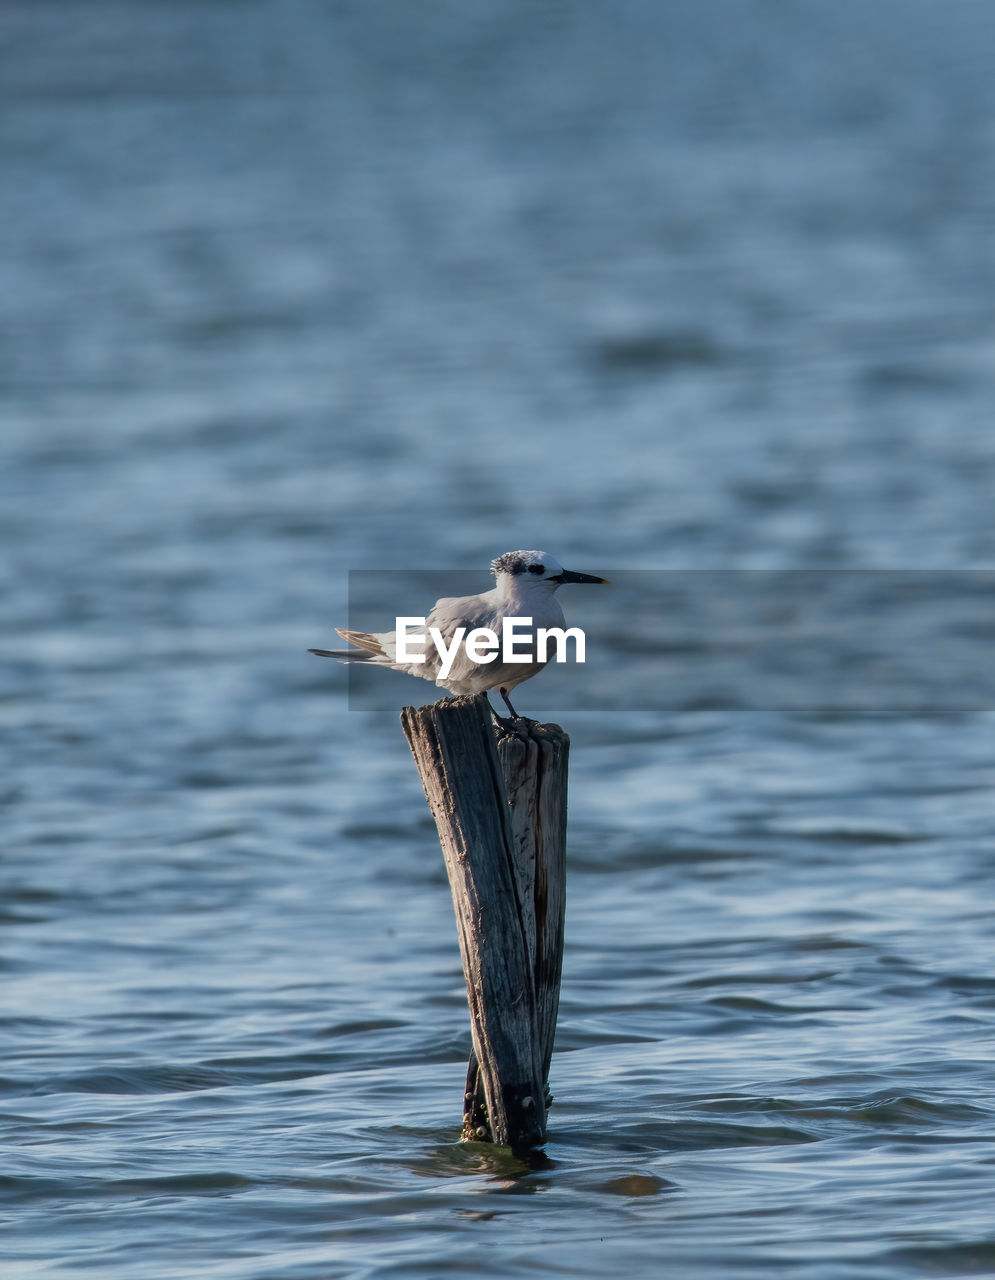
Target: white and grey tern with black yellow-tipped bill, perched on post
x,y
526,588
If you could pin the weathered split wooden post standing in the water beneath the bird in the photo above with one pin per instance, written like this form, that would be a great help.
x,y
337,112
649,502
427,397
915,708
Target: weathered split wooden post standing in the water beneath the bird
x,y
499,798
